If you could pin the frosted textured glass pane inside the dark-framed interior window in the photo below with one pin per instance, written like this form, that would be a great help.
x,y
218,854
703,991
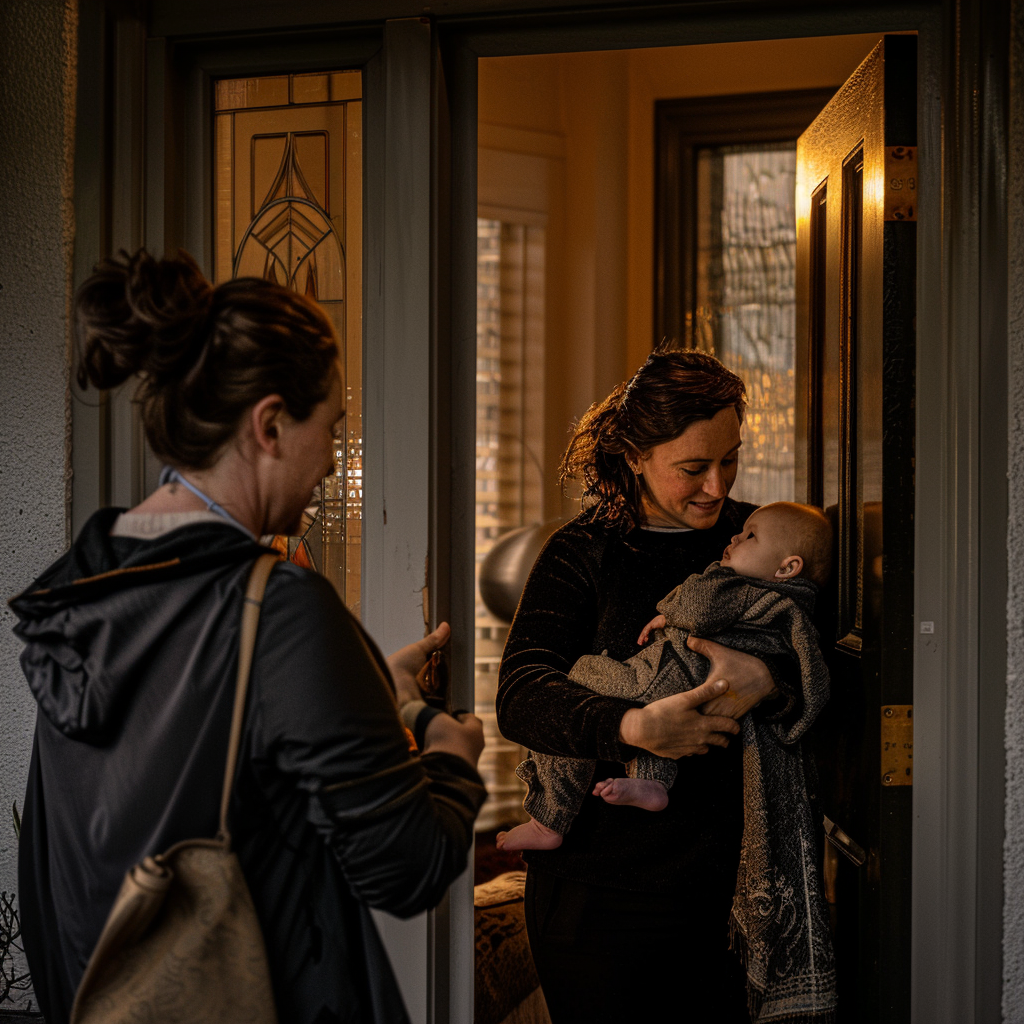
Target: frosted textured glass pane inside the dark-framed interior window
x,y
746,313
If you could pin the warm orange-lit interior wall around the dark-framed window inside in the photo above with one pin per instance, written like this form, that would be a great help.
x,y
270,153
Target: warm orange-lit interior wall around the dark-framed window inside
x,y
602,107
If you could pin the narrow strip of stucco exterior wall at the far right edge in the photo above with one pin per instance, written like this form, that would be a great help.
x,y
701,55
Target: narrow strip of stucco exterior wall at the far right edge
x,y
1013,931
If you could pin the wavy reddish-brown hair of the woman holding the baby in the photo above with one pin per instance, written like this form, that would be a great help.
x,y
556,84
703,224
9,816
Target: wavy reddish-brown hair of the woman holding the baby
x,y
669,393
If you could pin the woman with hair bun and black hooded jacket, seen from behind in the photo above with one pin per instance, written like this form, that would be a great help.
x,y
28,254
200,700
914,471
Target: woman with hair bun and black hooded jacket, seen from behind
x,y
132,653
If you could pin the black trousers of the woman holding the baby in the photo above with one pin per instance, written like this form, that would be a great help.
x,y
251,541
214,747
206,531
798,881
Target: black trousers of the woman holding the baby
x,y
613,956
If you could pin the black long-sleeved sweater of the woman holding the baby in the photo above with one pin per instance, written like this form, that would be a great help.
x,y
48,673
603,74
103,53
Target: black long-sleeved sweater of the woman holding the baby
x,y
592,590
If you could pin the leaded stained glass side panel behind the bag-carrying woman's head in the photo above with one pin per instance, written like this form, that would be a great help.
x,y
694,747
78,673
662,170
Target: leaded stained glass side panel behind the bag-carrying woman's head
x,y
289,208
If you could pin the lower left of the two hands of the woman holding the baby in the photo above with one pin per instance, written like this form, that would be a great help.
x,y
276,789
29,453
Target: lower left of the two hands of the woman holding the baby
x,y
675,728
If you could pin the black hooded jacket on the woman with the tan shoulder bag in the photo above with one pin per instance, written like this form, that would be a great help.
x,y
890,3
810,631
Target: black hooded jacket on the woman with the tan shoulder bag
x,y
132,654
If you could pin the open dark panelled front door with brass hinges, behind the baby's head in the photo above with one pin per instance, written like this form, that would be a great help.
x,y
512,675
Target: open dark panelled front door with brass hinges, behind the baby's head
x,y
857,214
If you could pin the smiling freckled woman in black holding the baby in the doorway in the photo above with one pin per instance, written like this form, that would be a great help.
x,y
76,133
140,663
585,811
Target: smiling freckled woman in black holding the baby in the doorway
x,y
628,917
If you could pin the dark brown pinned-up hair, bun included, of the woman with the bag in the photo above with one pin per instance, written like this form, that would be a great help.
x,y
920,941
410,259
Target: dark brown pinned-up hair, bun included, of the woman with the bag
x,y
205,355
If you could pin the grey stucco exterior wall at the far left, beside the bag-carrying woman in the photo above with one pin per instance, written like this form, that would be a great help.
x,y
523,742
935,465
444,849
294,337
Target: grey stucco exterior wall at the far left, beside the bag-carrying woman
x,y
37,80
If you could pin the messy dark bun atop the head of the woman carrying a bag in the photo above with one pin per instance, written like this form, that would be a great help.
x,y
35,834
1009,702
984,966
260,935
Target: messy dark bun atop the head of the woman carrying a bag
x,y
138,315
